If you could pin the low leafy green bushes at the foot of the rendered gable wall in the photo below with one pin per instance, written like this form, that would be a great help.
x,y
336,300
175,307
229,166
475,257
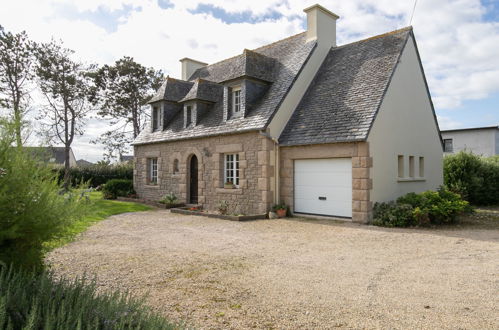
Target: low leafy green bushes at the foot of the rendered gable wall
x,y
429,207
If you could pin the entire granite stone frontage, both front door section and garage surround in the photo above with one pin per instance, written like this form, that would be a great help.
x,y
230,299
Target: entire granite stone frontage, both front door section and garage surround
x,y
257,154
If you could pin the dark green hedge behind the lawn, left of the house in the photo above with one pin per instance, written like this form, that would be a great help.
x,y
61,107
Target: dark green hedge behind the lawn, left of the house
x,y
98,174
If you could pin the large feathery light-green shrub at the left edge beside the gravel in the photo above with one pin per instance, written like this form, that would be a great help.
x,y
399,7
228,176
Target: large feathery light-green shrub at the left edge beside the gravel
x,y
32,208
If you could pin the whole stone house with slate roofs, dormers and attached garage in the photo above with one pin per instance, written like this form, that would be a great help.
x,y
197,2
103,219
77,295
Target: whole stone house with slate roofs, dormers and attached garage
x,y
326,129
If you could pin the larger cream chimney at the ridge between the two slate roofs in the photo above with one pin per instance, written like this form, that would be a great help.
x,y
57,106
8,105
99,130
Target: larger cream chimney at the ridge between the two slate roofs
x,y
321,25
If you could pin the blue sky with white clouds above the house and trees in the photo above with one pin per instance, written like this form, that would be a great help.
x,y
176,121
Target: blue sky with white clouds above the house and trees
x,y
458,40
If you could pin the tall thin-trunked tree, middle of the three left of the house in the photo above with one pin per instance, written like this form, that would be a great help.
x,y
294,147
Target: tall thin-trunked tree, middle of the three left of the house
x,y
65,85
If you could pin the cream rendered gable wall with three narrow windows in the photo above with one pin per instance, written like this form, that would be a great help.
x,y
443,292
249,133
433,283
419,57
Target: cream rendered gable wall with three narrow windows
x,y
405,125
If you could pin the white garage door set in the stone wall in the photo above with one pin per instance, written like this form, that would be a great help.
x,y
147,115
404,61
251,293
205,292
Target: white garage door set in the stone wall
x,y
323,186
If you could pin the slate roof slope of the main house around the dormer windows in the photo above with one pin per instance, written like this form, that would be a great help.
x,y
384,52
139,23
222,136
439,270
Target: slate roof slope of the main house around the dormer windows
x,y
288,56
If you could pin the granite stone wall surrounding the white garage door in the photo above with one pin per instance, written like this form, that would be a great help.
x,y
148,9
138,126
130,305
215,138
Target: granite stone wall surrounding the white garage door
x,y
361,163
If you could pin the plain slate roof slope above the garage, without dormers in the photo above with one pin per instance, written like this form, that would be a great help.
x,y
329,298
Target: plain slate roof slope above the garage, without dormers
x,y
342,101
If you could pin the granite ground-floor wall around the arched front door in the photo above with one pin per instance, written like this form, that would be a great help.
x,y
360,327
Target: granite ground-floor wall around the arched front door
x,y
256,157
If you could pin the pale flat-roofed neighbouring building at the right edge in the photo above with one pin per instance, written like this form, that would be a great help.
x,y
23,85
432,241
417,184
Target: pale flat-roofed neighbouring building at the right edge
x,y
483,141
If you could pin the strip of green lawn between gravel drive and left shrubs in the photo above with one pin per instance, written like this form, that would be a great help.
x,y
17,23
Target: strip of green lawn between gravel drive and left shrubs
x,y
99,209
